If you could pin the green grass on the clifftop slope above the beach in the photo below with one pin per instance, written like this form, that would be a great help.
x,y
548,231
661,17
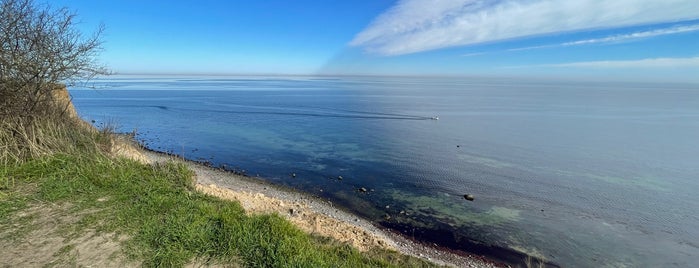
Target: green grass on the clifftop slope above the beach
x,y
166,221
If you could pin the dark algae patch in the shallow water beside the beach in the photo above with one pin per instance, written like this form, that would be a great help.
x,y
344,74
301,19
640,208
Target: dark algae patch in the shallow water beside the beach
x,y
434,220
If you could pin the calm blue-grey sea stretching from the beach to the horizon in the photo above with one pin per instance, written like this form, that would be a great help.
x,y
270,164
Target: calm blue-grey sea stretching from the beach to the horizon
x,y
581,174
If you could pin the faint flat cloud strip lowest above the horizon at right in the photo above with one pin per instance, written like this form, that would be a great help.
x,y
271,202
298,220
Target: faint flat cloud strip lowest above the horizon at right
x,y
692,62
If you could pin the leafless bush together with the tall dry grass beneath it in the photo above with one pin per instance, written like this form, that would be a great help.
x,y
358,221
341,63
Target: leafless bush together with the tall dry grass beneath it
x,y
40,50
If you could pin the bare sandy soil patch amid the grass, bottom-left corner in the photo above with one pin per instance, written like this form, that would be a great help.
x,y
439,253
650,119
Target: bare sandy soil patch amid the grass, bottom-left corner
x,y
45,242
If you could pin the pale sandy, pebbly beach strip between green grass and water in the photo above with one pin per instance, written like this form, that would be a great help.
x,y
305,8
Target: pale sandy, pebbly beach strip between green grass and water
x,y
314,215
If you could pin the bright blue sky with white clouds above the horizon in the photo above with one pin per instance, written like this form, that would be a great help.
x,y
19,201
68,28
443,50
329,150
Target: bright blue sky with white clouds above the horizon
x,y
639,40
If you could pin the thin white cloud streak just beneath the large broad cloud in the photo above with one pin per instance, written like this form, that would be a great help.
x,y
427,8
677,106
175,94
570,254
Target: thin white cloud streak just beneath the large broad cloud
x,y
621,37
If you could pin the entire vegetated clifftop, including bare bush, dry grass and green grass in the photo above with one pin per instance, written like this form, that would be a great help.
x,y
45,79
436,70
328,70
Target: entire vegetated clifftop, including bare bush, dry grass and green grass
x,y
62,187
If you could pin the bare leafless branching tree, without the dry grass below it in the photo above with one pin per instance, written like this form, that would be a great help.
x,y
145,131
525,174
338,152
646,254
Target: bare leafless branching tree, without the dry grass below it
x,y
41,49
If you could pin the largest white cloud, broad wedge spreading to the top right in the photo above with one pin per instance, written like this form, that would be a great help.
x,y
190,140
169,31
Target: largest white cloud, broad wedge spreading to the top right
x,y
420,25
